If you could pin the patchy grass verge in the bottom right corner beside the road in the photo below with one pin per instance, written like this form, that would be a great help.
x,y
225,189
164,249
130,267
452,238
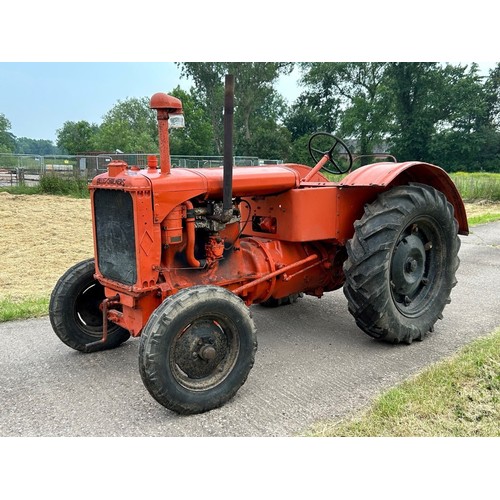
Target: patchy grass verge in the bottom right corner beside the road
x,y
458,397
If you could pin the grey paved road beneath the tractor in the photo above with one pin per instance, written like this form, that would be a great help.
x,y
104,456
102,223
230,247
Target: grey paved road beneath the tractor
x,y
313,363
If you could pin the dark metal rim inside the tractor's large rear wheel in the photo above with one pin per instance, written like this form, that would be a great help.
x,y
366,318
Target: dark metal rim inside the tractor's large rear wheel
x,y
415,266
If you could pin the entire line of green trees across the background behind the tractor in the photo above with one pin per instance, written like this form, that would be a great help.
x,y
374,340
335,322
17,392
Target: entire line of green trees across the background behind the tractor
x,y
447,114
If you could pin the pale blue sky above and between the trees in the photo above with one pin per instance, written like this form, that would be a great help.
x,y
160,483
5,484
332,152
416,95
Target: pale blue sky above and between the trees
x,y
38,97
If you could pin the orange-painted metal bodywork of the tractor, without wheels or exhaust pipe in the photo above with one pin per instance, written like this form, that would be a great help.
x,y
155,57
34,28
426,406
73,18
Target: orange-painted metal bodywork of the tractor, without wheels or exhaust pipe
x,y
286,235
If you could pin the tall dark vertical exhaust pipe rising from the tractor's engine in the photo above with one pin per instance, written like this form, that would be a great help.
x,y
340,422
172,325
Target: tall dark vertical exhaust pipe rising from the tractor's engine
x,y
227,191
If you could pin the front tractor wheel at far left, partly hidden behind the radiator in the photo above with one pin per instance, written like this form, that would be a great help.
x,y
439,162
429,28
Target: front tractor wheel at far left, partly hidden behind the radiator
x,y
74,310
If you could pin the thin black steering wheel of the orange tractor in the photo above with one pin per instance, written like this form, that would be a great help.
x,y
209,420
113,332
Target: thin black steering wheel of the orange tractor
x,y
338,154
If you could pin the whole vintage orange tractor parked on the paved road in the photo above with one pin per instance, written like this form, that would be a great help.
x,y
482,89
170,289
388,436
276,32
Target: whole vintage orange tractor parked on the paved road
x,y
181,254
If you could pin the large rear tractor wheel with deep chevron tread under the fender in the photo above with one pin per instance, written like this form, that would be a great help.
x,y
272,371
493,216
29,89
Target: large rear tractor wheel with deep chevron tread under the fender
x,y
401,263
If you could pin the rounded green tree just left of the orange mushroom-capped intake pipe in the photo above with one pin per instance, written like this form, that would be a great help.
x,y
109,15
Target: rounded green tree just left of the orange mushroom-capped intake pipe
x,y
129,126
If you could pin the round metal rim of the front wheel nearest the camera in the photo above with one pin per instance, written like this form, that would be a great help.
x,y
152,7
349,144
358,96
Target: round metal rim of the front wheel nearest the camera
x,y
204,353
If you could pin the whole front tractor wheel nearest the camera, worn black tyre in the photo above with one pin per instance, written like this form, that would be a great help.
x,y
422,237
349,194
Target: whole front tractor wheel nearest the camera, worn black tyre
x,y
197,349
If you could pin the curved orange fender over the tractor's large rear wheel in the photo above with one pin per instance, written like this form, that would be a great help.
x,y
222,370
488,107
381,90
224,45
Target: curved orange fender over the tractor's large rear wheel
x,y
388,174
